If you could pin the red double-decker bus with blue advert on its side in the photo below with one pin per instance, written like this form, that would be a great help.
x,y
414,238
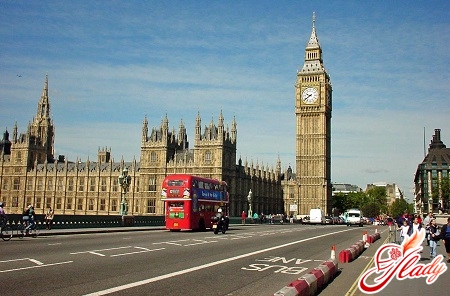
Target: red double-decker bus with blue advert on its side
x,y
190,201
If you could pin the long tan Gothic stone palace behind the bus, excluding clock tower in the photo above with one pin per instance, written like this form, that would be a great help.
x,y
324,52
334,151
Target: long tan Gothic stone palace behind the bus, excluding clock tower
x,y
30,175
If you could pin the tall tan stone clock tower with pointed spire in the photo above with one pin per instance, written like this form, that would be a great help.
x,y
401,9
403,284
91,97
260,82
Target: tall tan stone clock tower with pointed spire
x,y
313,132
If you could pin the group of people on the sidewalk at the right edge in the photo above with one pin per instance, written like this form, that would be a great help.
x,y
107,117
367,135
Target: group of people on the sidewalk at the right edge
x,y
409,224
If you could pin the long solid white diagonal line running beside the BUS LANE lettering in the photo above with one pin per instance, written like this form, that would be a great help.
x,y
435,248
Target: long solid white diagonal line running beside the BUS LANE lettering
x,y
207,265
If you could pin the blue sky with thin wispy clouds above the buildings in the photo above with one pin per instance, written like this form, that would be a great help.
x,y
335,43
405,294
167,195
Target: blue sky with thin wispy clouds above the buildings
x,y
111,63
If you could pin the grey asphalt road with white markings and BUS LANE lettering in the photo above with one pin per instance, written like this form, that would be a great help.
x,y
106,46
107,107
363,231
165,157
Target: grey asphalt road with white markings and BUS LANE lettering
x,y
247,260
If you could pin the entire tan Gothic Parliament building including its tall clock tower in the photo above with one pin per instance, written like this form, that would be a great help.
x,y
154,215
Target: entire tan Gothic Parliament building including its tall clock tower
x,y
30,174
